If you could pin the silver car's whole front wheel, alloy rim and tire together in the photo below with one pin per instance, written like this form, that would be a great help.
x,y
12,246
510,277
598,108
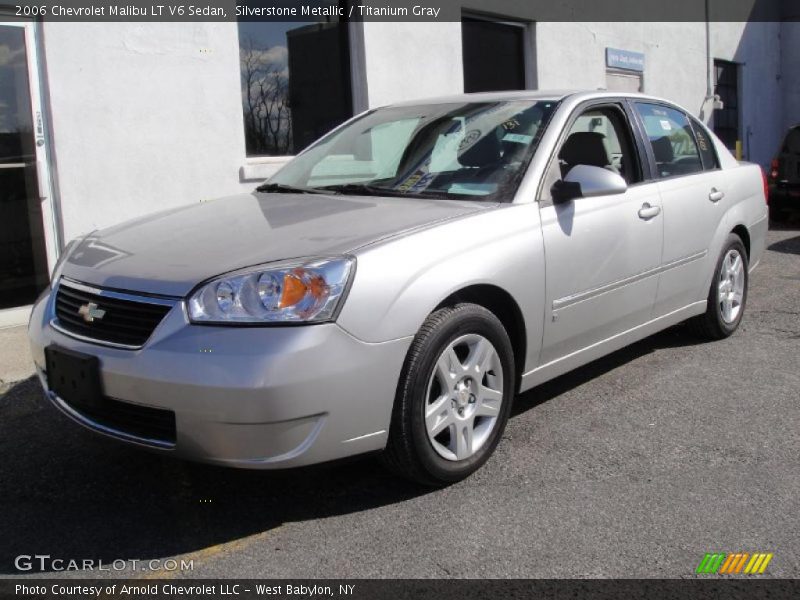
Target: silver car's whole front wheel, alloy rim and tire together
x,y
453,398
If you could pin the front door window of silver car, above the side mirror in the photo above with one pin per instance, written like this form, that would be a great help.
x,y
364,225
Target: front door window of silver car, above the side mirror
x,y
601,137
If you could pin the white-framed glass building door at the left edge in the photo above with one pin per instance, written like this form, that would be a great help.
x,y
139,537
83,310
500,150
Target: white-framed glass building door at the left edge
x,y
26,228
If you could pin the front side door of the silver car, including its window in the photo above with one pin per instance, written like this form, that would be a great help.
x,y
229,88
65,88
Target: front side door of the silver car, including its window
x,y
602,253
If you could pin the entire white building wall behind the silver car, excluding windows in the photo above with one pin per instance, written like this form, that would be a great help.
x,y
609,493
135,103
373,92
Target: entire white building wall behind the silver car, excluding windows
x,y
148,116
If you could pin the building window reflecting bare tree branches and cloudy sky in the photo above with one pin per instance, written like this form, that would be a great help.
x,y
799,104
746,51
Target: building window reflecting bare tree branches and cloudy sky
x,y
296,83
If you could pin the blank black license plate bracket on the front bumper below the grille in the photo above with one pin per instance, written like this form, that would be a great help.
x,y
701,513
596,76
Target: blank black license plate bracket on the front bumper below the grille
x,y
74,377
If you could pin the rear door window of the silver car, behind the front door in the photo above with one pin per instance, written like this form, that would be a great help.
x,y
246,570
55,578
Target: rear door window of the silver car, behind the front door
x,y
672,140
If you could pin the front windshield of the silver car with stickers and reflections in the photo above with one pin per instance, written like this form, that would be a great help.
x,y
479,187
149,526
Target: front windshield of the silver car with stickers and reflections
x,y
474,150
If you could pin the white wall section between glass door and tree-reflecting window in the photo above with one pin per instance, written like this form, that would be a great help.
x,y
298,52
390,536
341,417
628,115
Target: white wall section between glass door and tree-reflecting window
x,y
144,117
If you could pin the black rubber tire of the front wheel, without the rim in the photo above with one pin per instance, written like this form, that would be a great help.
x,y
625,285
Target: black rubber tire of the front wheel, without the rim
x,y
409,451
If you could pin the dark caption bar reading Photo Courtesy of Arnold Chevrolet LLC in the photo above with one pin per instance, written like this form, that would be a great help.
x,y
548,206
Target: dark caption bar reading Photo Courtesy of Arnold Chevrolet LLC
x,y
744,588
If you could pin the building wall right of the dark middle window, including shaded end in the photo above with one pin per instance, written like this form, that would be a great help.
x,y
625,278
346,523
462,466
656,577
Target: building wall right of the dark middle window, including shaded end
x,y
676,66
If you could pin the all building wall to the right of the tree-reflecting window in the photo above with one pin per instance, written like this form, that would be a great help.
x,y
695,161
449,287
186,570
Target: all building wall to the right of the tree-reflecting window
x,y
405,61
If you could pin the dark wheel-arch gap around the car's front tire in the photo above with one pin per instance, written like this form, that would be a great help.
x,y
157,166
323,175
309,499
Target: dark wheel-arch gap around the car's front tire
x,y
503,305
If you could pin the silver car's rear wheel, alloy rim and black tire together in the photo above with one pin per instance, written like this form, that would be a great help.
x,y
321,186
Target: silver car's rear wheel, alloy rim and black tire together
x,y
728,293
